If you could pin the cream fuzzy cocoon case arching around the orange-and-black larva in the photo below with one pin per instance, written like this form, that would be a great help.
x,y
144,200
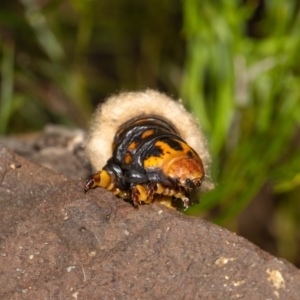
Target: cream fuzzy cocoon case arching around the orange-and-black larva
x,y
122,107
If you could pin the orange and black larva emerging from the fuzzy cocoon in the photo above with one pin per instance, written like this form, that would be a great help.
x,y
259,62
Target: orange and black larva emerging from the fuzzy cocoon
x,y
150,161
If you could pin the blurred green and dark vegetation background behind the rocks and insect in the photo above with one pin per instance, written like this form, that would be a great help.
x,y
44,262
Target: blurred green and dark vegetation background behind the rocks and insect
x,y
235,63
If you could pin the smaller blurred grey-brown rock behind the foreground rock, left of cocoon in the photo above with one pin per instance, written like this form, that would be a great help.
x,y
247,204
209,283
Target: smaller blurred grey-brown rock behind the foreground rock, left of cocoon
x,y
56,148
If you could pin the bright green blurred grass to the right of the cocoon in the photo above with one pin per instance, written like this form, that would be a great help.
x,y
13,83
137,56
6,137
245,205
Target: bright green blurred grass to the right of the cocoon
x,y
245,90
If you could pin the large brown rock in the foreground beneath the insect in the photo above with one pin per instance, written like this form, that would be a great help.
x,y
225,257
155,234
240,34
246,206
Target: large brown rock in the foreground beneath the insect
x,y
58,243
